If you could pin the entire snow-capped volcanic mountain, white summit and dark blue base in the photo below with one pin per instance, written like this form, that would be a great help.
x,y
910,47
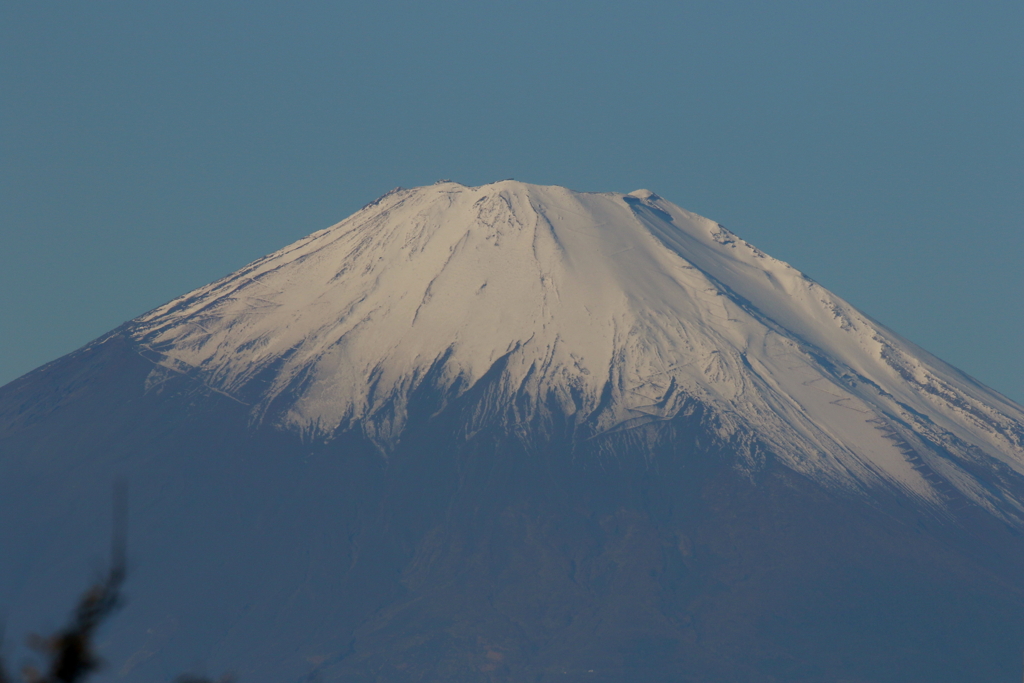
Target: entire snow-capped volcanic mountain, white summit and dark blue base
x,y
518,433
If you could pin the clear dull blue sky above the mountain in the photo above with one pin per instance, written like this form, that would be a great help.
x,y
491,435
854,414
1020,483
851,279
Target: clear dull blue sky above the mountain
x,y
150,148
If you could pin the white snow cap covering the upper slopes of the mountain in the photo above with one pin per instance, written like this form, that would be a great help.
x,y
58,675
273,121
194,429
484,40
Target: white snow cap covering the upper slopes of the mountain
x,y
617,311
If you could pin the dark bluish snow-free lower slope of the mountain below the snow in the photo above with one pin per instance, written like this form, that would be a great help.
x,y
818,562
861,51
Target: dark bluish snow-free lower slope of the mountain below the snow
x,y
476,560
